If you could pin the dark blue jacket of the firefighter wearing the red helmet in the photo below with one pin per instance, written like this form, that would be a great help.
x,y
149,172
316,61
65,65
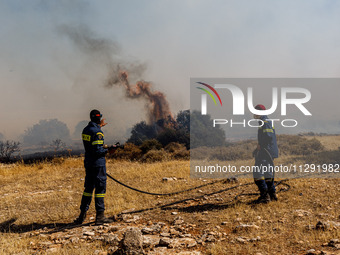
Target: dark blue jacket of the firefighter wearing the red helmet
x,y
267,138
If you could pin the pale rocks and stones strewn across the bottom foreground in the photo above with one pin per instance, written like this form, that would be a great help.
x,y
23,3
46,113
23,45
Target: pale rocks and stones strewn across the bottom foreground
x,y
136,234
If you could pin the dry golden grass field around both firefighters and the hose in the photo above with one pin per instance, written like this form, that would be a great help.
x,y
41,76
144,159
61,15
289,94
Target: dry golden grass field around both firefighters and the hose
x,y
42,196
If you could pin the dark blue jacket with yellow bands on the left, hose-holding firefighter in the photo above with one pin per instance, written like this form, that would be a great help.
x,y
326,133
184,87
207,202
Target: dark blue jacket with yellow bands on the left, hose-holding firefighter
x,y
93,140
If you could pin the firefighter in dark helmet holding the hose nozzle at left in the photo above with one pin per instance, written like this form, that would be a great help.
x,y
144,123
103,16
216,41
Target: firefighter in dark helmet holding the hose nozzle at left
x,y
94,162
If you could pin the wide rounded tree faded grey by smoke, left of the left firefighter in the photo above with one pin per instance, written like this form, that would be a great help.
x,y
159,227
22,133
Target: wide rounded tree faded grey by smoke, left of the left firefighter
x,y
45,132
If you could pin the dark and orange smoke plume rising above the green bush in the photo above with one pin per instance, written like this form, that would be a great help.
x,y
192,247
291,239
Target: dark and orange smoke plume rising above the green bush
x,y
107,51
